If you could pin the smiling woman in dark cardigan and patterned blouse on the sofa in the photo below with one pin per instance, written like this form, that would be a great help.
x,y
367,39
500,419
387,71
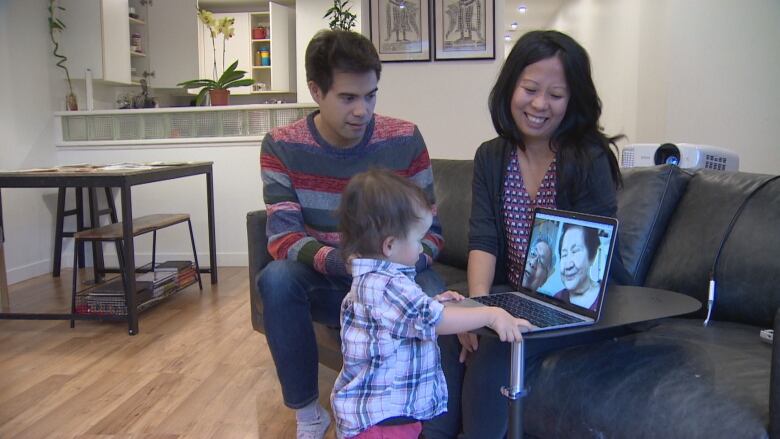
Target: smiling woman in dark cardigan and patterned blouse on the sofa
x,y
550,152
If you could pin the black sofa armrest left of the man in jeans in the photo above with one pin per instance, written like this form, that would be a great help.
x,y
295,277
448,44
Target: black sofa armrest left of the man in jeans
x,y
257,242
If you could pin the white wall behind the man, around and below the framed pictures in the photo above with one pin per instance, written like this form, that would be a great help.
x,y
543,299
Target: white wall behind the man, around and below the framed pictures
x,y
446,99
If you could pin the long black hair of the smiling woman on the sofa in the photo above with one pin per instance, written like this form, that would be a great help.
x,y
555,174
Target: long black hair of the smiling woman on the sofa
x,y
579,128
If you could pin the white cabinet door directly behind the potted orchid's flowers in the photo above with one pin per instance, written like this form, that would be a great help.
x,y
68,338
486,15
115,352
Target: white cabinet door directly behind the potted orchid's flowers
x,y
236,48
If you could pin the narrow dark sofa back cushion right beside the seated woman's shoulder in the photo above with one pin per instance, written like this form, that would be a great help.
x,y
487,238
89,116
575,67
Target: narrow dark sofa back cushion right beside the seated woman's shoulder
x,y
645,203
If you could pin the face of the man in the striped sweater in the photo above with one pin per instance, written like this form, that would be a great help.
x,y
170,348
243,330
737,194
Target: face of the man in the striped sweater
x,y
347,108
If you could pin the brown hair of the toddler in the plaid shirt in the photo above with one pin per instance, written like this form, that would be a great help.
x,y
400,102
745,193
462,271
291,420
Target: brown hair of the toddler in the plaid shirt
x,y
377,204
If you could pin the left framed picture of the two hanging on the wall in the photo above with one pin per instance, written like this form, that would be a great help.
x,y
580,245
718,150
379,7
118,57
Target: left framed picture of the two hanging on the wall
x,y
400,29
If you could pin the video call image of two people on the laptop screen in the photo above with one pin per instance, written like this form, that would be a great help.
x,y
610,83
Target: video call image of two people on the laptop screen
x,y
567,260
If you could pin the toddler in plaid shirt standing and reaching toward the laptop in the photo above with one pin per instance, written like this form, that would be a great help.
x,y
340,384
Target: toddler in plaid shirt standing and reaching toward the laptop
x,y
392,377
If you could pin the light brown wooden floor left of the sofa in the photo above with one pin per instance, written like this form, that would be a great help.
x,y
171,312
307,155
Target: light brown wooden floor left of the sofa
x,y
196,370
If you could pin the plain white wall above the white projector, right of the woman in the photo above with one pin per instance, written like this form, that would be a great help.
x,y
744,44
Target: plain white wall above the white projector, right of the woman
x,y
697,71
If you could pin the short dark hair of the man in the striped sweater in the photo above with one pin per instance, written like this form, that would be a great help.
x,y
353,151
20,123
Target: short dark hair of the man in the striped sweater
x,y
333,51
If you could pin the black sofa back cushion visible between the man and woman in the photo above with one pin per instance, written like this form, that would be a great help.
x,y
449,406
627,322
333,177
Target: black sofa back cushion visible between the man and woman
x,y
452,184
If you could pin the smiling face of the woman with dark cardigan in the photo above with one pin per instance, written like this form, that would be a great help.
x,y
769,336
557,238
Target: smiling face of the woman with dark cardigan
x,y
540,99
